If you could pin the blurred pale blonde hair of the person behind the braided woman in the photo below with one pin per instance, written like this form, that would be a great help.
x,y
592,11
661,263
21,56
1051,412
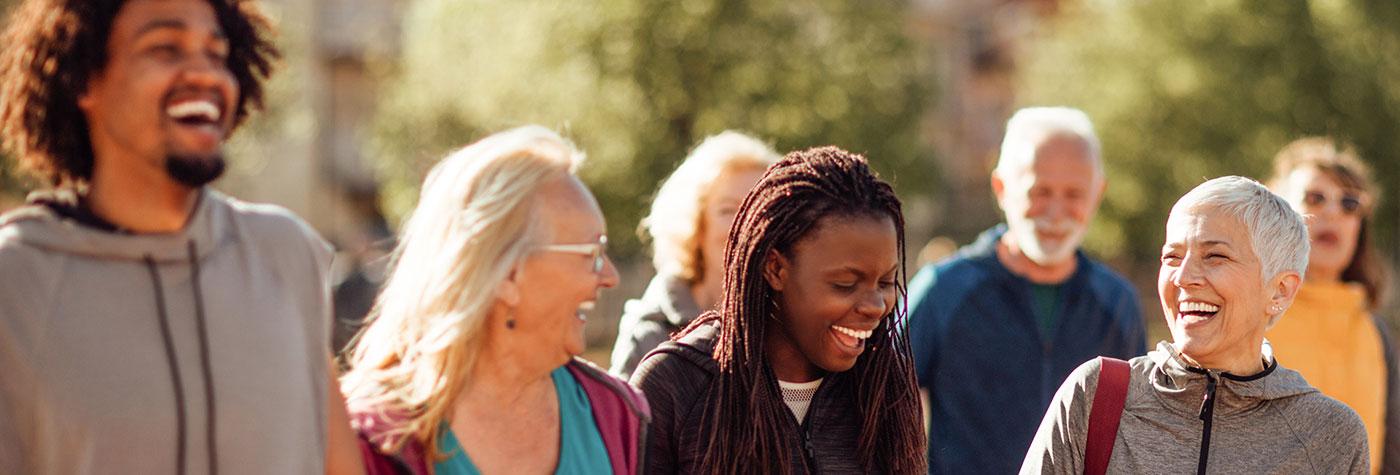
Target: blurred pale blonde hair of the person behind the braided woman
x,y
674,222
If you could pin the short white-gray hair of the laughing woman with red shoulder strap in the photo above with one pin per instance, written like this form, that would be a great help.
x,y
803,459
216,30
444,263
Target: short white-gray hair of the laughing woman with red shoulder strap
x,y
1276,230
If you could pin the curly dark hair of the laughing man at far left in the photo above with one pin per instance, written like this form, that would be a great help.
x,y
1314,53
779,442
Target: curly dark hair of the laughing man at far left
x,y
52,48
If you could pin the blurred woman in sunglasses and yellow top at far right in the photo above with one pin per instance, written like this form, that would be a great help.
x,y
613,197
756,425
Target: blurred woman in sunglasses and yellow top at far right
x,y
1331,334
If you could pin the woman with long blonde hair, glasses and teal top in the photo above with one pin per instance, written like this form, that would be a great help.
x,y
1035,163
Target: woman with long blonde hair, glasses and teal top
x,y
468,364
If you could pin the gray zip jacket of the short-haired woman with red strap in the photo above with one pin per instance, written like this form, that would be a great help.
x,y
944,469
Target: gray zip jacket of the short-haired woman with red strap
x,y
1266,424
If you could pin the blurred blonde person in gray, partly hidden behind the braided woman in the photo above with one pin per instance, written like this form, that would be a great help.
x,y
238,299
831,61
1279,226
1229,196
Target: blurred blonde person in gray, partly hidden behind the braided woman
x,y
689,226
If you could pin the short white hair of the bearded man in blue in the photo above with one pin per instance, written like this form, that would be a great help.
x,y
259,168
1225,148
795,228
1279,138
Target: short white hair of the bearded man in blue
x,y
1032,127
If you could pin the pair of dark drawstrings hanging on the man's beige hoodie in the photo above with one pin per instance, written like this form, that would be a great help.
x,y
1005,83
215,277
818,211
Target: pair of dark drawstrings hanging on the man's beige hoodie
x,y
174,365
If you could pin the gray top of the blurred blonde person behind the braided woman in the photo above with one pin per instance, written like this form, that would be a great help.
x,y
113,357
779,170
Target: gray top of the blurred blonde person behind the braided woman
x,y
646,323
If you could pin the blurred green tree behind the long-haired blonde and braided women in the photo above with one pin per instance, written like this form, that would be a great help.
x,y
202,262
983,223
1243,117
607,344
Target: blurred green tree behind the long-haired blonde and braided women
x,y
638,83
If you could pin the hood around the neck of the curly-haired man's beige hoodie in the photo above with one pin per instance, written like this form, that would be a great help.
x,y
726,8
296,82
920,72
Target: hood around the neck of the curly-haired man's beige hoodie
x,y
40,226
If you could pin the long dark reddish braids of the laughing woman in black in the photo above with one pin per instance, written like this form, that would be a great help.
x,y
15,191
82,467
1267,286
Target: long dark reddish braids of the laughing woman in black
x,y
744,413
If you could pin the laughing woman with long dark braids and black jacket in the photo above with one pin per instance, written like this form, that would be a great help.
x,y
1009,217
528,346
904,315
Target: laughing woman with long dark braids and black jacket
x,y
801,369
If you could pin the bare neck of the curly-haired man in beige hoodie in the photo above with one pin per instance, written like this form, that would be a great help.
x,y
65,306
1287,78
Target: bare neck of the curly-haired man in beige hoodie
x,y
139,200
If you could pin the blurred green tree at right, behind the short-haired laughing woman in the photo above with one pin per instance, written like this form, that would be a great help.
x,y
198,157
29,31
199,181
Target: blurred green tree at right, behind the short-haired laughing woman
x,y
1182,95
